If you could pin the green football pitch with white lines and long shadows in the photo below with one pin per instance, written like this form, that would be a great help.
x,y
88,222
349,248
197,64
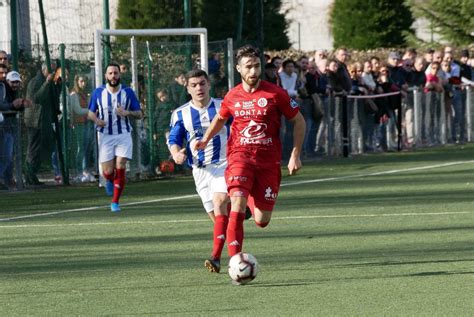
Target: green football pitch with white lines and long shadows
x,y
377,235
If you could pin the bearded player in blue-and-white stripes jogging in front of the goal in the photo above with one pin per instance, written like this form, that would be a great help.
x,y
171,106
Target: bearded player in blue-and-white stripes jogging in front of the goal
x,y
111,107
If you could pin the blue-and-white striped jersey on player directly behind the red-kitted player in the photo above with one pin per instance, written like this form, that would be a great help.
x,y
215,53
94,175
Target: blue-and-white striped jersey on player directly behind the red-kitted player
x,y
190,122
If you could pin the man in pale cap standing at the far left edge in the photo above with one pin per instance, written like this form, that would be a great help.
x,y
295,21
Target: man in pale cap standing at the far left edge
x,y
9,103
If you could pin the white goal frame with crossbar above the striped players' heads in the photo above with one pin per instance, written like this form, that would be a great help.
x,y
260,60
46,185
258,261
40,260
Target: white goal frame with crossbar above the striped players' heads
x,y
201,32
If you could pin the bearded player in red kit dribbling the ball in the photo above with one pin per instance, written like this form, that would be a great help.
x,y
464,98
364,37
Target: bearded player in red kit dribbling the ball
x,y
254,146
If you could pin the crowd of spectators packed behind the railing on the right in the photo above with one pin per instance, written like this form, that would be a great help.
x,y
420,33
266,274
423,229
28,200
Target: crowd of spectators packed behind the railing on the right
x,y
310,80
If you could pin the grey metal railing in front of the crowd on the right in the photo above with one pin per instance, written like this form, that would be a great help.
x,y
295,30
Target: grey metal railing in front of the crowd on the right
x,y
421,119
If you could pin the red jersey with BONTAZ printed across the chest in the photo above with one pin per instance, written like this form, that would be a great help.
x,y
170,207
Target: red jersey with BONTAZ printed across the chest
x,y
257,118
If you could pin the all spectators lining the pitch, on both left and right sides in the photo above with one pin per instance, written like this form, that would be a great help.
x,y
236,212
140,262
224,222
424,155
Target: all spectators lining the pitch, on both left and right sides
x,y
309,80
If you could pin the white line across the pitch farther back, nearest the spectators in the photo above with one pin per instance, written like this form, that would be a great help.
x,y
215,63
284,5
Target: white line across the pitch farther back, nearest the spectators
x,y
282,185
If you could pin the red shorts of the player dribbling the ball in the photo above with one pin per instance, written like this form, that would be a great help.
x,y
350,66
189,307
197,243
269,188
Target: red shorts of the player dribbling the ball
x,y
262,182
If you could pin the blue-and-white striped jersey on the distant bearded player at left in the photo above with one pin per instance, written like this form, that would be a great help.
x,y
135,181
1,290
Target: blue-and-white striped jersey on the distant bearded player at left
x,y
105,103
